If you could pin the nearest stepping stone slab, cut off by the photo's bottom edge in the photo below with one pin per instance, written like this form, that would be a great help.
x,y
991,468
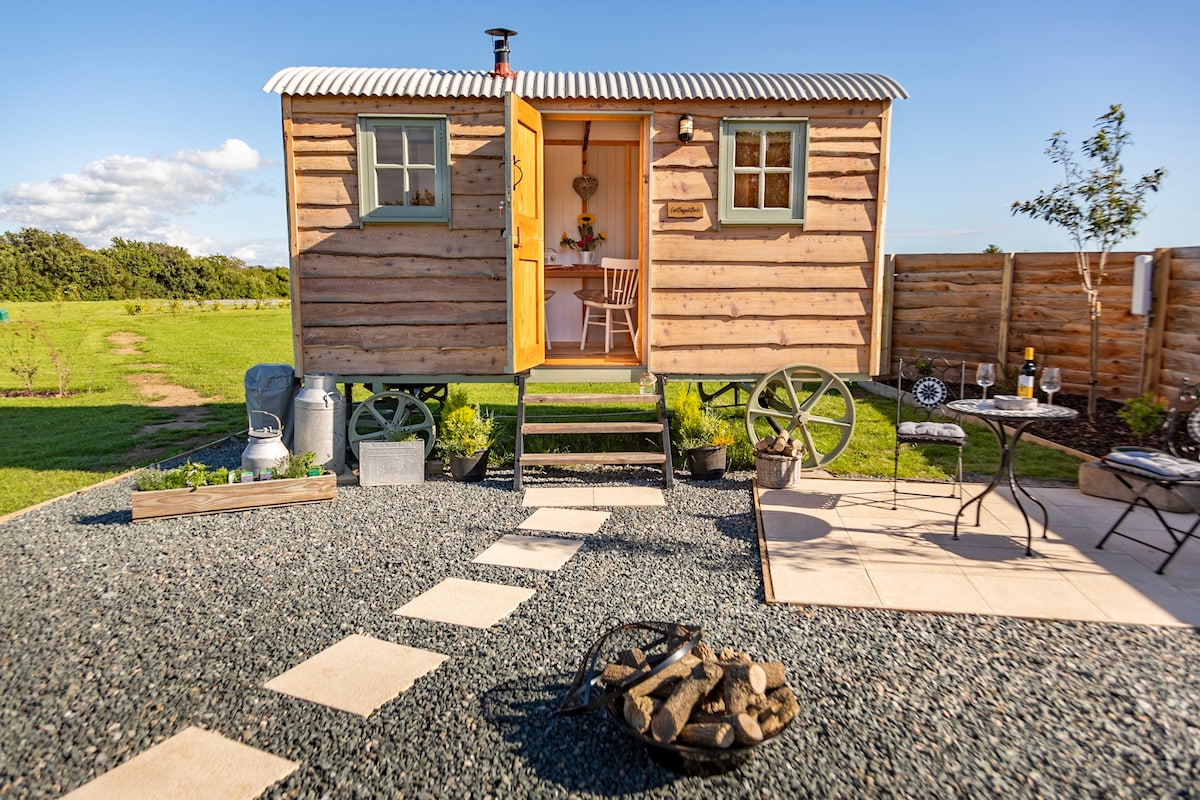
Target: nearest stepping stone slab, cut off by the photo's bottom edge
x,y
197,765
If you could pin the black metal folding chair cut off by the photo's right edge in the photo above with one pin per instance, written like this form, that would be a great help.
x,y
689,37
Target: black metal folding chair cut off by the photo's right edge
x,y
1175,472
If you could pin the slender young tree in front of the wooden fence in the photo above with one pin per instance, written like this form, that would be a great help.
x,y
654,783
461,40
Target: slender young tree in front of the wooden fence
x,y
1097,207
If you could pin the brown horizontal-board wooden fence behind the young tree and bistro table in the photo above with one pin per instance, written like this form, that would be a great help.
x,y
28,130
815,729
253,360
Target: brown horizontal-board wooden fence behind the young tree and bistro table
x,y
965,306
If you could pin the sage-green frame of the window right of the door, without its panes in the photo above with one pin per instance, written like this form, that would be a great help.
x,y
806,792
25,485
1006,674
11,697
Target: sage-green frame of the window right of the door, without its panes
x,y
795,215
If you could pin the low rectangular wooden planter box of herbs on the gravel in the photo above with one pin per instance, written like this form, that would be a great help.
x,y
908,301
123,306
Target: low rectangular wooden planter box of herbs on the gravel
x,y
232,497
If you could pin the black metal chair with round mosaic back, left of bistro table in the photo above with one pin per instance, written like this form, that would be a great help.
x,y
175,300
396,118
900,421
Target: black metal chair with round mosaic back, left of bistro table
x,y
923,388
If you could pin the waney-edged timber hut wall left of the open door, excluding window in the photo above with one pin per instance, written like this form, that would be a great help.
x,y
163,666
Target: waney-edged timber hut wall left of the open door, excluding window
x,y
398,299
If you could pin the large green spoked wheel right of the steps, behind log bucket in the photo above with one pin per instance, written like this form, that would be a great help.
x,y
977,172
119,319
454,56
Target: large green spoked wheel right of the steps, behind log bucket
x,y
811,404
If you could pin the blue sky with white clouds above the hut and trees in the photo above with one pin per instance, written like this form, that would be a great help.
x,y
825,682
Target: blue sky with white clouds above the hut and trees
x,y
147,121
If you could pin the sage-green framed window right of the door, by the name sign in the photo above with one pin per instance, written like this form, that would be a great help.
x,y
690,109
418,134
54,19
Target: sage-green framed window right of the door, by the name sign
x,y
763,172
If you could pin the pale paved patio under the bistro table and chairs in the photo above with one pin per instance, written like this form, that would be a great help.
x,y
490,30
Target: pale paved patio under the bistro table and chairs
x,y
844,543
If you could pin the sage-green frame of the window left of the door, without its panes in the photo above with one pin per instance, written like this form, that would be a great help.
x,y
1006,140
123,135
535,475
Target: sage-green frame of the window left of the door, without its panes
x,y
369,203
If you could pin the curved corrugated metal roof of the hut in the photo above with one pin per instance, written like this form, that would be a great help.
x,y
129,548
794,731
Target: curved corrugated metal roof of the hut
x,y
381,82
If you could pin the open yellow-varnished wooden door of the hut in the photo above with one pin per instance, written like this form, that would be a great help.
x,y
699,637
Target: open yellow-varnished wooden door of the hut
x,y
526,204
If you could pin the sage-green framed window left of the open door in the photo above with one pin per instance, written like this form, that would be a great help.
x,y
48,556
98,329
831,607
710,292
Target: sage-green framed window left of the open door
x,y
404,170
